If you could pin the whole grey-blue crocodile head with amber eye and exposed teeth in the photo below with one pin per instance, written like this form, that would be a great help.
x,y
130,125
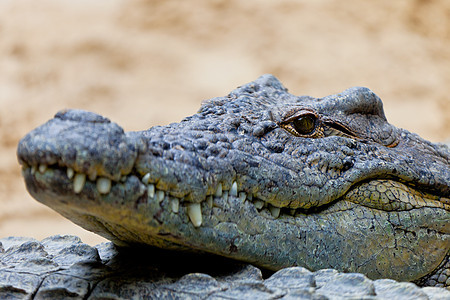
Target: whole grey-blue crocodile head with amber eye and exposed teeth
x,y
260,175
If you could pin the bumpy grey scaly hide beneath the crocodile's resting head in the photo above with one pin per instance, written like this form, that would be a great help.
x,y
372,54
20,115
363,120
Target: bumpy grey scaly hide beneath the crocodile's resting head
x,y
62,267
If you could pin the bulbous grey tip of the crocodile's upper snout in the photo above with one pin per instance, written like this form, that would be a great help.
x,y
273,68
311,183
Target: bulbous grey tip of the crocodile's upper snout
x,y
83,142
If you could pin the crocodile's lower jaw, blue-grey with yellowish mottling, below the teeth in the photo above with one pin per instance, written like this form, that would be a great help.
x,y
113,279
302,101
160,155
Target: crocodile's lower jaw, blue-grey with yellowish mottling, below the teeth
x,y
404,244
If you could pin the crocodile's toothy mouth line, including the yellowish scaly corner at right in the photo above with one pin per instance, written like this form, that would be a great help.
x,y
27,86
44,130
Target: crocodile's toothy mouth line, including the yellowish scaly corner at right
x,y
381,194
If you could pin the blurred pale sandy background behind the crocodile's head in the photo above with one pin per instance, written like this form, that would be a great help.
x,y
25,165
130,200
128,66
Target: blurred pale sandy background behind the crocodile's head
x,y
143,63
